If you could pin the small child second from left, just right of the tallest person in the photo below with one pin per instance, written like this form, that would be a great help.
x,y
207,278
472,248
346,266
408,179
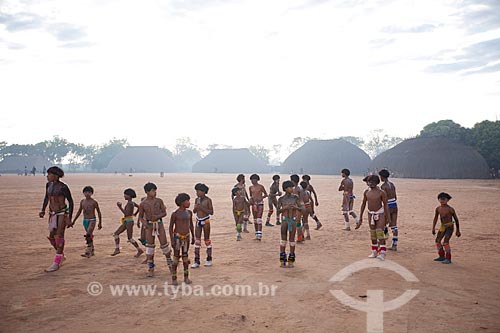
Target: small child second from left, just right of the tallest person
x,y
89,206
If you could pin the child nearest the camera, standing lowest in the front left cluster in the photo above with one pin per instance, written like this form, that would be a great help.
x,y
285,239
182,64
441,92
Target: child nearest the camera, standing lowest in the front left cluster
x,y
181,225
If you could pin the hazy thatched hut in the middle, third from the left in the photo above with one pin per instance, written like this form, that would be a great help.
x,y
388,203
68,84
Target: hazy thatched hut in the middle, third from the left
x,y
230,161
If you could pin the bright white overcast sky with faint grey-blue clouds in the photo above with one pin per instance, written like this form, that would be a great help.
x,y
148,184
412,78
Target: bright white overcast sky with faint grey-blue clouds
x,y
243,73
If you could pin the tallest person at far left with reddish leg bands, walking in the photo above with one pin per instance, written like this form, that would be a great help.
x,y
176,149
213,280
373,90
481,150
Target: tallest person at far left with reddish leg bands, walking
x,y
60,213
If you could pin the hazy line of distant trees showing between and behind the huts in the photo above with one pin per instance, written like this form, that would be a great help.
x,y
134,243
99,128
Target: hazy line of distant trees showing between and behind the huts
x,y
484,136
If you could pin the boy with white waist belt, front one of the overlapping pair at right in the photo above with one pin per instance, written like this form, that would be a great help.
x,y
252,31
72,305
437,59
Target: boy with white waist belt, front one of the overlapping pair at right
x,y
377,206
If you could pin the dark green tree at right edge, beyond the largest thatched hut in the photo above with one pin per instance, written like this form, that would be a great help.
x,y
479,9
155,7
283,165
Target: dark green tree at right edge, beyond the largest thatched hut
x,y
485,137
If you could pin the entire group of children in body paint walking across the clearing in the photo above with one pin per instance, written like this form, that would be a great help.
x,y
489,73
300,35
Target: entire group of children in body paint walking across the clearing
x,y
293,204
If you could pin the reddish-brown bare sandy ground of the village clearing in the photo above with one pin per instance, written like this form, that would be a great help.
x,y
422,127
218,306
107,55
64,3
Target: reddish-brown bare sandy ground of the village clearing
x,y
462,297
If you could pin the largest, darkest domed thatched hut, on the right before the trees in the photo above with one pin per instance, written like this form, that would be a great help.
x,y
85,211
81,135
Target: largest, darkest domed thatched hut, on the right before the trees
x,y
432,158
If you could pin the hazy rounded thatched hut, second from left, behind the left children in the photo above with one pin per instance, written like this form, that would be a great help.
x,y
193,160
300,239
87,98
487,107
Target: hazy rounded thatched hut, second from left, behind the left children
x,y
142,159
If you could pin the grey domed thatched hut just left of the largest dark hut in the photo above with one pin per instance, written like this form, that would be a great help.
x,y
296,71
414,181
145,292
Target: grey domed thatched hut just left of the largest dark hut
x,y
326,157
